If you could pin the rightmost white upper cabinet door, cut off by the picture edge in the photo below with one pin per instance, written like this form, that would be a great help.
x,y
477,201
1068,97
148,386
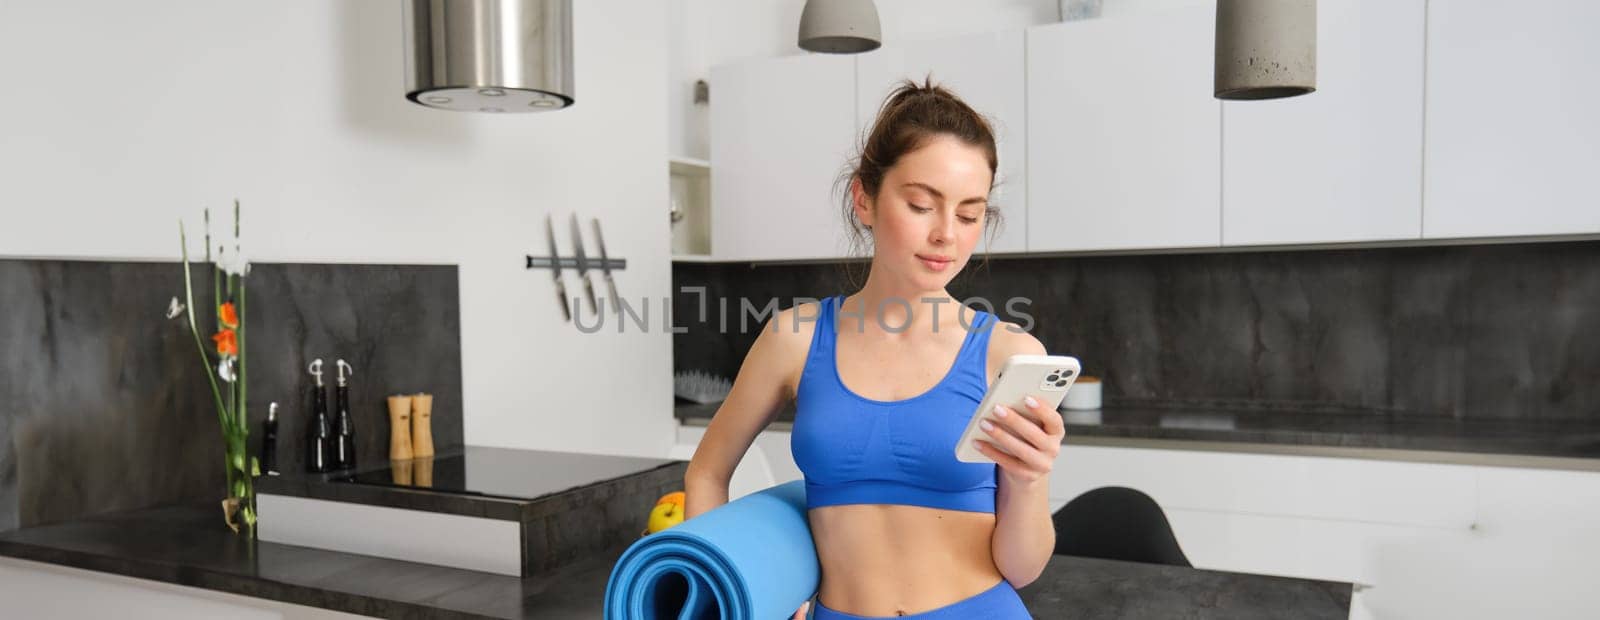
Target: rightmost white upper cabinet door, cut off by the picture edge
x,y
1513,132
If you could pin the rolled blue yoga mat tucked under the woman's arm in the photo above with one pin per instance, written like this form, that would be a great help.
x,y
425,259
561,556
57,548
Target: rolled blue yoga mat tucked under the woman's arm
x,y
750,558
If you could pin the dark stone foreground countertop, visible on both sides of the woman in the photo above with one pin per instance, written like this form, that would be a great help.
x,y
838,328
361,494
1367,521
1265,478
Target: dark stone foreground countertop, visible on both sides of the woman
x,y
190,546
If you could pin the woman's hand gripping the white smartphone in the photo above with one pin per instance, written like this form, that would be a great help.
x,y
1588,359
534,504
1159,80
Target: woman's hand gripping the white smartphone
x,y
1033,445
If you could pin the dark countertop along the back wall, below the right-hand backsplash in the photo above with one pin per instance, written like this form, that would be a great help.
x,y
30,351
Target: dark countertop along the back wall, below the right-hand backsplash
x,y
1290,427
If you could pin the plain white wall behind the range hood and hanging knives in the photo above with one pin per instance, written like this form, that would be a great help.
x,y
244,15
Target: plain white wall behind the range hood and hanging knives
x,y
122,117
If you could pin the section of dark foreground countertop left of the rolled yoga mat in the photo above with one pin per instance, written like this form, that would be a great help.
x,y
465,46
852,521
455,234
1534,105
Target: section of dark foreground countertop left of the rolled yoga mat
x,y
190,546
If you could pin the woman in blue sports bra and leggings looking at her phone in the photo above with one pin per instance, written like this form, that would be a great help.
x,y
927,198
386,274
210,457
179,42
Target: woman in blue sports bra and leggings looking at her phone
x,y
884,384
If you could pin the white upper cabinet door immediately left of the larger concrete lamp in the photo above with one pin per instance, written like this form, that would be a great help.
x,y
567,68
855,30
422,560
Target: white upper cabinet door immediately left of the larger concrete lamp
x,y
1124,133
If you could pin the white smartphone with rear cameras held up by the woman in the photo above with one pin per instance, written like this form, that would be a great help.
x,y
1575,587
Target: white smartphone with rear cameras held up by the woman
x,y
1047,378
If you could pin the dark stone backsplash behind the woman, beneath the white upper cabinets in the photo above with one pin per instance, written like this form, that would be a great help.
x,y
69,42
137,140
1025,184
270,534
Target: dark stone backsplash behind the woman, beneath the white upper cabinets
x,y
1497,332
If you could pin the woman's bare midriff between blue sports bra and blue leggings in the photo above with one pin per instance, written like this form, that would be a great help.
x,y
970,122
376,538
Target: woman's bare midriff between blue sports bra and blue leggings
x,y
898,560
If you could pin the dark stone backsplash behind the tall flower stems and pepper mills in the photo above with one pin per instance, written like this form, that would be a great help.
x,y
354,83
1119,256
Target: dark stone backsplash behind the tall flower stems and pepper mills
x,y
105,405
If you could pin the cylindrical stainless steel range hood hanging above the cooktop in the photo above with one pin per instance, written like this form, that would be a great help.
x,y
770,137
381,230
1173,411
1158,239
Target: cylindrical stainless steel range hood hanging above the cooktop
x,y
490,55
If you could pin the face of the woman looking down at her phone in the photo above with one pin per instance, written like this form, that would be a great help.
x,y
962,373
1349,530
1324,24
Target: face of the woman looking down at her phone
x,y
929,217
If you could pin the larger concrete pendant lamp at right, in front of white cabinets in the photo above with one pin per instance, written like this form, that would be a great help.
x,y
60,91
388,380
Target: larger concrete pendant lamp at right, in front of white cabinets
x,y
1265,49
